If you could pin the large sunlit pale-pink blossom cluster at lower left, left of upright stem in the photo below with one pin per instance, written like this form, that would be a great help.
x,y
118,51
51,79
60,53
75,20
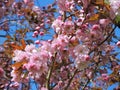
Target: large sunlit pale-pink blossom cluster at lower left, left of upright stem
x,y
34,59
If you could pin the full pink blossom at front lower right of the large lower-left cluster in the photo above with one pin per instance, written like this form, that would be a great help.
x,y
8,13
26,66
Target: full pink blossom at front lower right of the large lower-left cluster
x,y
37,64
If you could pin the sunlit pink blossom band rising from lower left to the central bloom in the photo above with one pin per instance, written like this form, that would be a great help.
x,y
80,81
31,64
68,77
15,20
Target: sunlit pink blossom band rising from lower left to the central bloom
x,y
35,60
